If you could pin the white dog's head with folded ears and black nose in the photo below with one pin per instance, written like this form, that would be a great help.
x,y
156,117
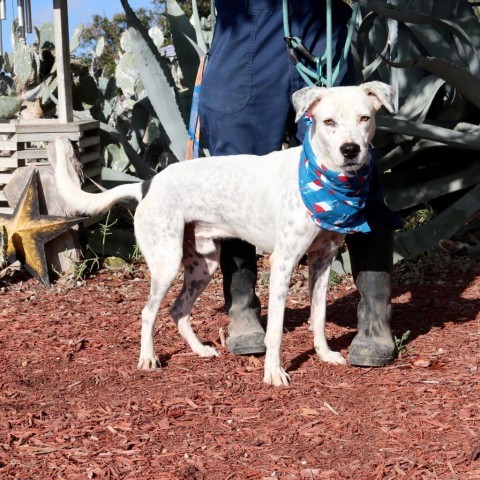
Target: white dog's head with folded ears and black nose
x,y
343,121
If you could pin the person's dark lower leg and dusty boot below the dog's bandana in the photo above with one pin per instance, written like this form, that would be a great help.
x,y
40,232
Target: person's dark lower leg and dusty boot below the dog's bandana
x,y
371,258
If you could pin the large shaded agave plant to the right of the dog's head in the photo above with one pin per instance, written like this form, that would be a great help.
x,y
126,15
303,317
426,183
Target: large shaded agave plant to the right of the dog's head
x,y
428,151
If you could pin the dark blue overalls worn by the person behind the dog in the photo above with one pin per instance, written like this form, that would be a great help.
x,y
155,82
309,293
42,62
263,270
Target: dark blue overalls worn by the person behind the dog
x,y
245,104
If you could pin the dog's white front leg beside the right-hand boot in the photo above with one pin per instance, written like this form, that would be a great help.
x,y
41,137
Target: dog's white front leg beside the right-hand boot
x,y
319,266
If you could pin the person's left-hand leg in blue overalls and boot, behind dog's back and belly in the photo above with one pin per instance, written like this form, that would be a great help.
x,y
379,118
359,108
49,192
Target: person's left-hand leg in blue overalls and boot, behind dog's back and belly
x,y
243,109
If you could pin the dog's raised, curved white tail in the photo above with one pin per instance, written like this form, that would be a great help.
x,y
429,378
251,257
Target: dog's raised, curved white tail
x,y
68,184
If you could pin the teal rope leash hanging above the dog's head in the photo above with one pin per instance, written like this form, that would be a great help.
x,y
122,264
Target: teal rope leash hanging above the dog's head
x,y
301,56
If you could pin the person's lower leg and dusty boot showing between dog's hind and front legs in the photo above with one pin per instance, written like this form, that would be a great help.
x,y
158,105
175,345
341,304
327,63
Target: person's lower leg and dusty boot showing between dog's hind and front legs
x,y
238,261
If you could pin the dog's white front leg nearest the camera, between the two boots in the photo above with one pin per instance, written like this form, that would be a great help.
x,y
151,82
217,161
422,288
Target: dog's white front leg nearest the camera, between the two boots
x,y
280,274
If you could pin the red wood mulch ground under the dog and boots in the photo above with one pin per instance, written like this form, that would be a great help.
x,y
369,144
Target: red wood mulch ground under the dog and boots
x,y
74,406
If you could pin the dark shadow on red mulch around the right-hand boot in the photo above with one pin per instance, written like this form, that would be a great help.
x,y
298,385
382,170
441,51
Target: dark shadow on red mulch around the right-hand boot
x,y
434,306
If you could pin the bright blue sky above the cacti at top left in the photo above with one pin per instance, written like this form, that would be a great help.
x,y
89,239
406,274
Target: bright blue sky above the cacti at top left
x,y
79,11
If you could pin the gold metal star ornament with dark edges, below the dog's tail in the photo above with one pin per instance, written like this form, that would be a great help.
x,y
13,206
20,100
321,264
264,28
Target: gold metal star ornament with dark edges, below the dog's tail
x,y
28,231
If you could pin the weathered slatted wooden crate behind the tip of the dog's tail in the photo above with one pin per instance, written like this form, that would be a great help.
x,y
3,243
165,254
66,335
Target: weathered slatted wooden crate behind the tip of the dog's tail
x,y
24,142
